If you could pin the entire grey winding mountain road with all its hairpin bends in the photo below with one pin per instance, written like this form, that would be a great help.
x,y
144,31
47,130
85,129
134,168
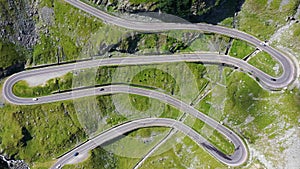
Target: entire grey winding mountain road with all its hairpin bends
x,y
240,154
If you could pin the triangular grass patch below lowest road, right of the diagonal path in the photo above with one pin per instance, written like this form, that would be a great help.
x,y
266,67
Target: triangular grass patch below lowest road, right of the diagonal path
x,y
181,154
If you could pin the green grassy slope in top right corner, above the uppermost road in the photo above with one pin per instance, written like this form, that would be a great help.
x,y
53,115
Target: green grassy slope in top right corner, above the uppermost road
x,y
261,20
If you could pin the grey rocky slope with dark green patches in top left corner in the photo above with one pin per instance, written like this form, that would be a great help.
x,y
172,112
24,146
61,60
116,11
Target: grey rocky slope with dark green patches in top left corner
x,y
17,34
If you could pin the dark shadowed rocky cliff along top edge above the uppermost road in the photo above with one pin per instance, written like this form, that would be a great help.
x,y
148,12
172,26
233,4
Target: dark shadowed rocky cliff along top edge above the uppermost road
x,y
210,11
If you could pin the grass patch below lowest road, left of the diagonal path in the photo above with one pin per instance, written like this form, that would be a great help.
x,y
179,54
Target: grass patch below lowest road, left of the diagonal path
x,y
120,154
